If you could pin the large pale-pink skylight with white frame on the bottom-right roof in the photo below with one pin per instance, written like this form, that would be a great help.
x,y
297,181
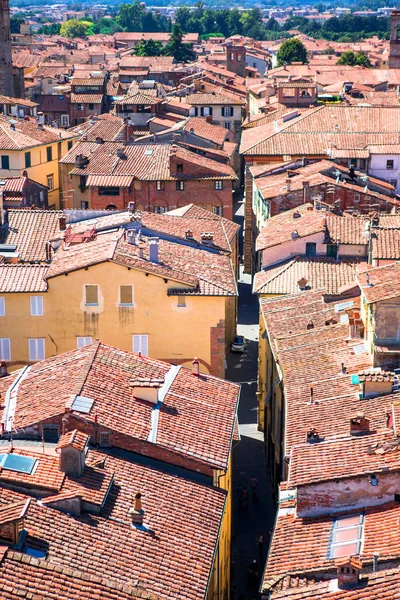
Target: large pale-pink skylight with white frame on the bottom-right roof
x,y
346,536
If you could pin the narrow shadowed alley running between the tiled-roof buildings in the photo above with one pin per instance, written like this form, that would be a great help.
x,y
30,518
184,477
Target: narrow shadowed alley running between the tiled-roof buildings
x,y
248,456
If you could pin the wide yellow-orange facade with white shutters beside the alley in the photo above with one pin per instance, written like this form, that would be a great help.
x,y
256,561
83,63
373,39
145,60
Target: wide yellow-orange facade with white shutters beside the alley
x,y
129,309
